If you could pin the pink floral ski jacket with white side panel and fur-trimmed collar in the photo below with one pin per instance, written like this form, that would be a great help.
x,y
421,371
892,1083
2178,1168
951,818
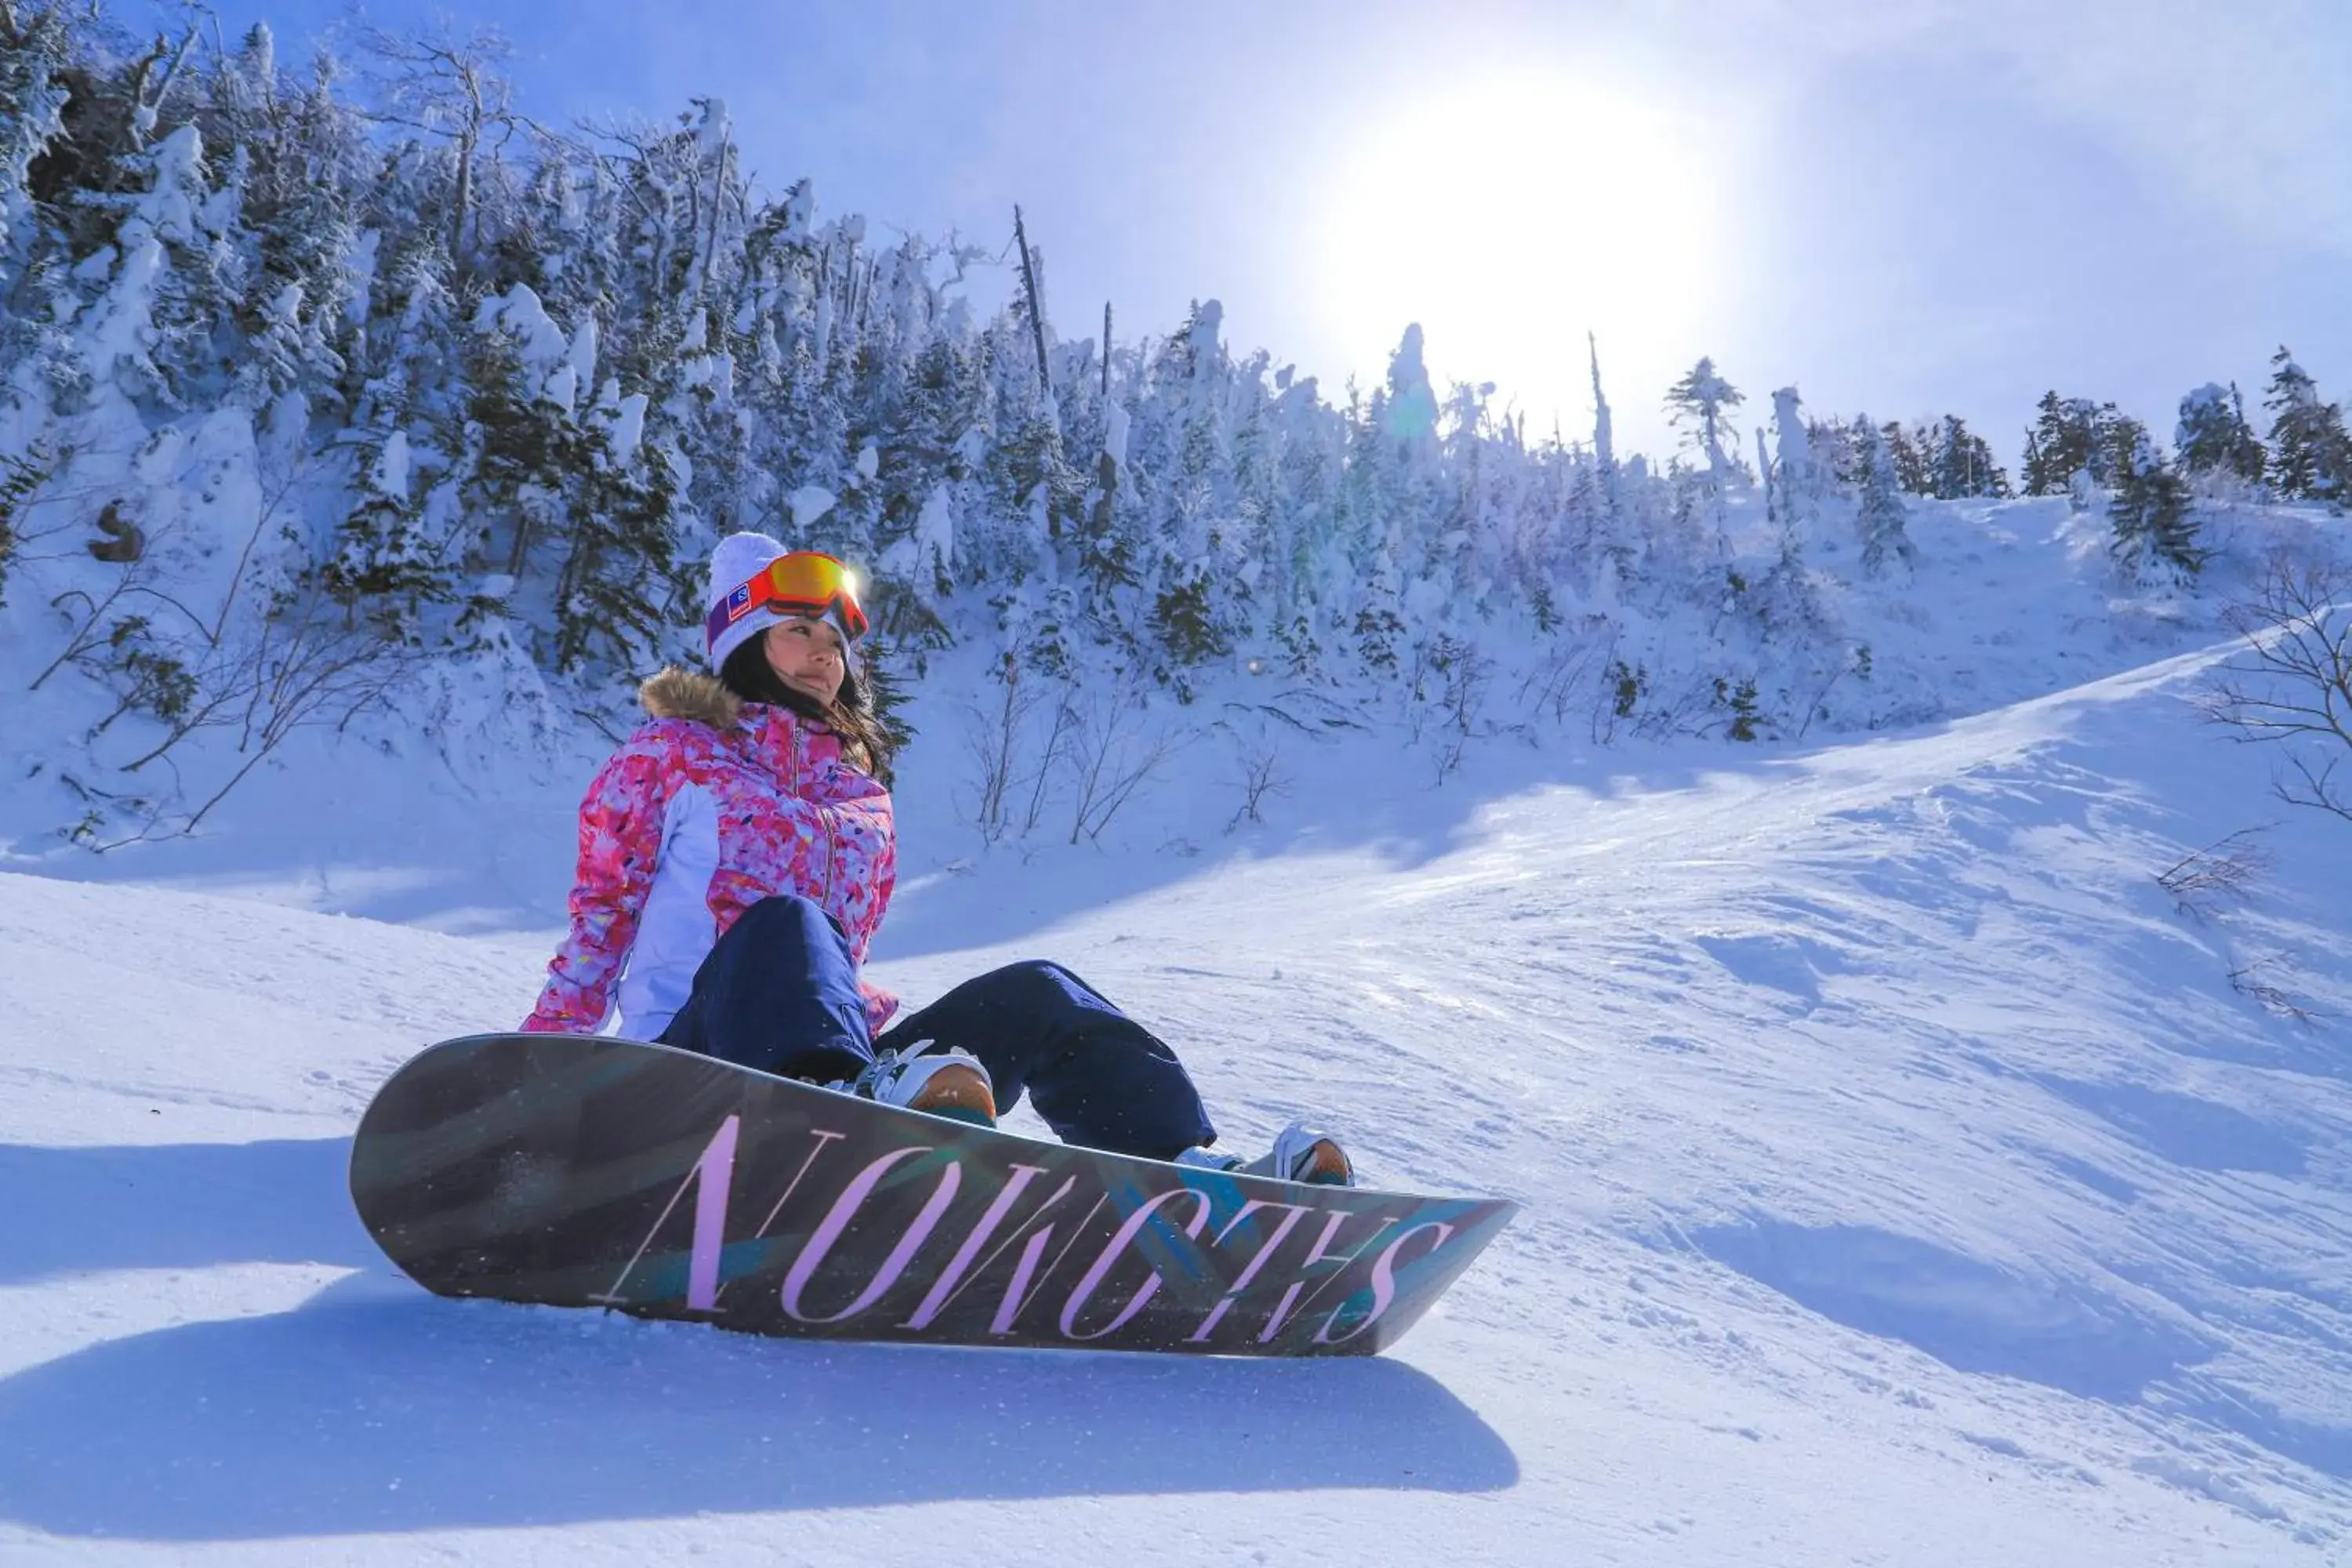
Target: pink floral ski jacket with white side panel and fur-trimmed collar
x,y
704,812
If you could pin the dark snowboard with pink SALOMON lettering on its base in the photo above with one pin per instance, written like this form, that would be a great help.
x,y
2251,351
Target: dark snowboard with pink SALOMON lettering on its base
x,y
594,1172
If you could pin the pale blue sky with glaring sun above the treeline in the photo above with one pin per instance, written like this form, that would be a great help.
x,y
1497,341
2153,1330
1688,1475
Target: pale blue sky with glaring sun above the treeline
x,y
1897,206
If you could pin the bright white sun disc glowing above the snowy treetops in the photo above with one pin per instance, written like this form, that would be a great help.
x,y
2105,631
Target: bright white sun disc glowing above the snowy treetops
x,y
1509,217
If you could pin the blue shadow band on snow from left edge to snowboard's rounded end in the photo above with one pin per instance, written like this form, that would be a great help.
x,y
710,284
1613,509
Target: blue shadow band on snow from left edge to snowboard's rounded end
x,y
178,1207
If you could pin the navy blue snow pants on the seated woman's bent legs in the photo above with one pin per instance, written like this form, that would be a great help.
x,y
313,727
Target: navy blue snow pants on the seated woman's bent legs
x,y
782,993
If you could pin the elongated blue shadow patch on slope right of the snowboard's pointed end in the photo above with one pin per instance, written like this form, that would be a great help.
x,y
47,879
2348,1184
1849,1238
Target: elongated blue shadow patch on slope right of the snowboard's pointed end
x,y
1970,1315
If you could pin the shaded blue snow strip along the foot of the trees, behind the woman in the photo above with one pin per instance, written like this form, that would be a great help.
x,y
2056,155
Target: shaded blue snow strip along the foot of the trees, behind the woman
x,y
410,845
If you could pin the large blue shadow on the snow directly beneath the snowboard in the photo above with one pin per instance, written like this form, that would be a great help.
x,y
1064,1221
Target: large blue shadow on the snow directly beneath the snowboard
x,y
380,1409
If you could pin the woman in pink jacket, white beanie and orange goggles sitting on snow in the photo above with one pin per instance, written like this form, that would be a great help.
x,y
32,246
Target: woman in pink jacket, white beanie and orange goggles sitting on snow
x,y
737,857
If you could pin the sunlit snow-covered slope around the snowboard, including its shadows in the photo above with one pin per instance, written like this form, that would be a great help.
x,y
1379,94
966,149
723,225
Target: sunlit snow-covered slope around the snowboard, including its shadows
x,y
1906,1184
